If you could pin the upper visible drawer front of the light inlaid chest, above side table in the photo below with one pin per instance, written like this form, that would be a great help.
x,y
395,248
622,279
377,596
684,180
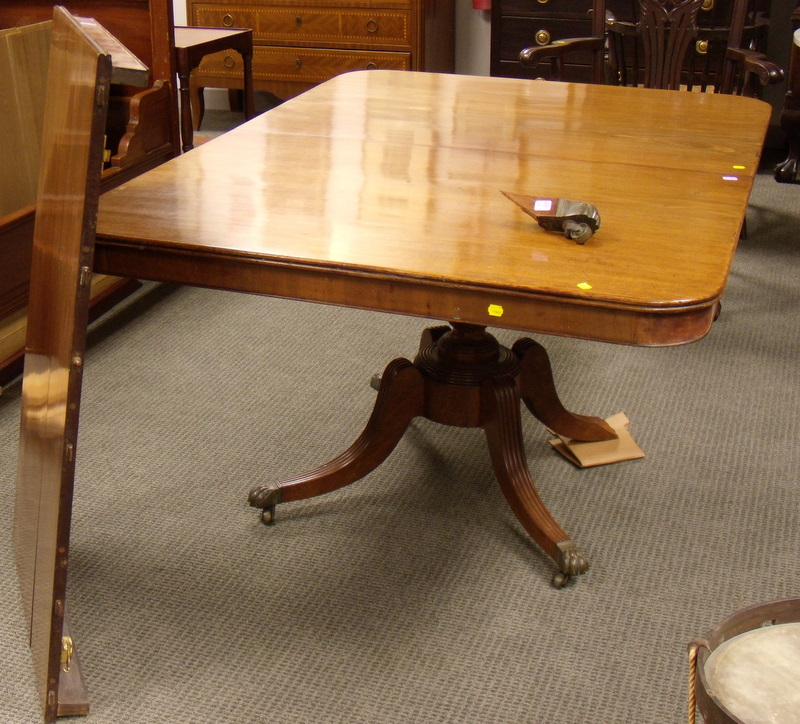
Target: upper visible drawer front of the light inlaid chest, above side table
x,y
312,25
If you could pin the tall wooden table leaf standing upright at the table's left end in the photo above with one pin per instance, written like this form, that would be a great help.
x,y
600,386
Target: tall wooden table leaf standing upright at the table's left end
x,y
81,71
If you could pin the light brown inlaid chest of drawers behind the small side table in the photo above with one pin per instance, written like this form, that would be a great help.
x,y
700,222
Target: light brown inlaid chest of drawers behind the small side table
x,y
300,43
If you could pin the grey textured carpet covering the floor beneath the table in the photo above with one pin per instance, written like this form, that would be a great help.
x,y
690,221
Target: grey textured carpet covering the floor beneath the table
x,y
412,596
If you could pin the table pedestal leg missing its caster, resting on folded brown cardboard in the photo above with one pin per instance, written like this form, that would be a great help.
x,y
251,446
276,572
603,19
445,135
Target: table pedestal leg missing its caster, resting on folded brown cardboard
x,y
538,391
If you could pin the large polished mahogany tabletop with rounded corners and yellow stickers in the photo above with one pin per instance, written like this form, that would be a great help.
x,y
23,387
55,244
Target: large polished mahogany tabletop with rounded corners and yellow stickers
x,y
382,190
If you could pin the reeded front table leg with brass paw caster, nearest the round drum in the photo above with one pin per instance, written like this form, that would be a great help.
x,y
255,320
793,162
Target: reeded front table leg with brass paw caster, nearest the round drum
x,y
500,420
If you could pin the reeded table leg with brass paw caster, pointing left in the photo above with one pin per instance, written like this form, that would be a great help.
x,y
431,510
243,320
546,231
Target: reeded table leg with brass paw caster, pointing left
x,y
400,399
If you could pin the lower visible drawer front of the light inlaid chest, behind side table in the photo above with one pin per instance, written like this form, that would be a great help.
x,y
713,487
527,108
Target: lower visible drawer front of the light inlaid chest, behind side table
x,y
306,65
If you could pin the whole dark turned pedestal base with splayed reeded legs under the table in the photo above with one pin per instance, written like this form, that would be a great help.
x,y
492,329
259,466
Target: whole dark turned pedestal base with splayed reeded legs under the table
x,y
462,377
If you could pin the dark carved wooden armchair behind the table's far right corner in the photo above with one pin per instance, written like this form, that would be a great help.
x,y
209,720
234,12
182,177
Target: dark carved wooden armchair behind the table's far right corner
x,y
652,50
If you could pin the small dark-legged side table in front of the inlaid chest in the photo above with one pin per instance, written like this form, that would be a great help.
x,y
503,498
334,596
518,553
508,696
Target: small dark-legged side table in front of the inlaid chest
x,y
192,44
